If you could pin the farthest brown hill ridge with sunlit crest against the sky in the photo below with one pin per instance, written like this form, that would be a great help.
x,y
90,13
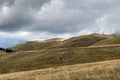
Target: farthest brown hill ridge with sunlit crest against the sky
x,y
79,41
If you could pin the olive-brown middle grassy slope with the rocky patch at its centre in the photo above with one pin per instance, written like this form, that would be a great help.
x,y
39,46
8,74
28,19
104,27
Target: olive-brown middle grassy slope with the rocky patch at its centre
x,y
29,60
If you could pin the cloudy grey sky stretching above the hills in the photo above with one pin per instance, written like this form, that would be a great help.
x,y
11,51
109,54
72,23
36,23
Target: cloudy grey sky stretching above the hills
x,y
44,19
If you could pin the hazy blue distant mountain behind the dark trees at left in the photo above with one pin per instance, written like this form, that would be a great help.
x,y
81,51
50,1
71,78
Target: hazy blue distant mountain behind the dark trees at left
x,y
9,42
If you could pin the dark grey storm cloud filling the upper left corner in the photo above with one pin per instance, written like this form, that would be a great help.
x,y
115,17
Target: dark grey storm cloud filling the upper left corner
x,y
17,14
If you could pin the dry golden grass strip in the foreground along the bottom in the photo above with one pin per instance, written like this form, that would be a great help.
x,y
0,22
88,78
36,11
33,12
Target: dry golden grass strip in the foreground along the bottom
x,y
107,70
